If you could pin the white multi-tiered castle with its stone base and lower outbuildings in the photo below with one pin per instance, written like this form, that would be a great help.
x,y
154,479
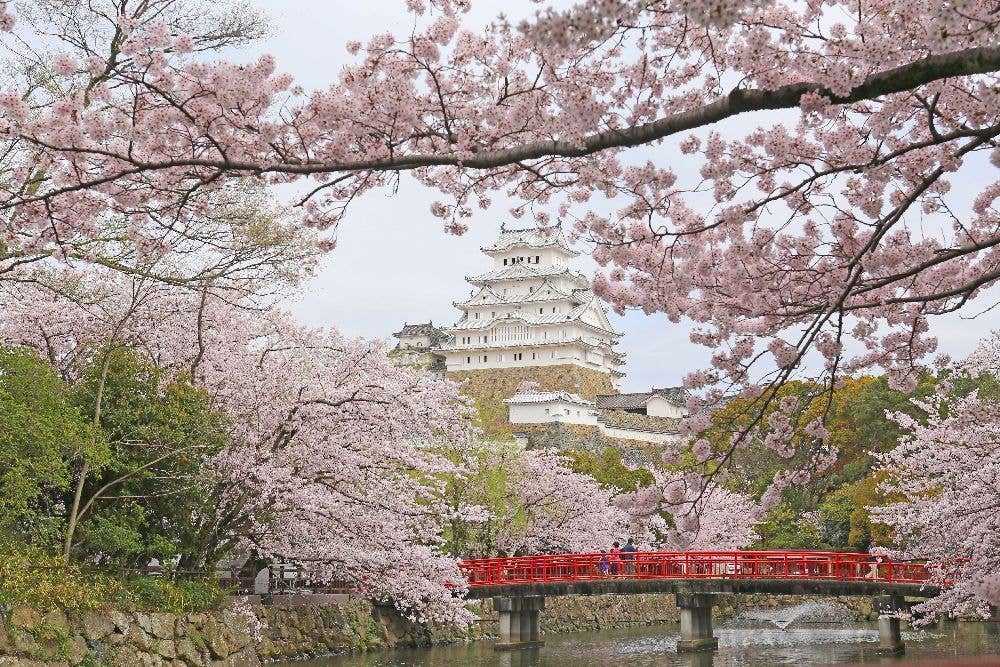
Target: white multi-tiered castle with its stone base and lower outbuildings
x,y
532,318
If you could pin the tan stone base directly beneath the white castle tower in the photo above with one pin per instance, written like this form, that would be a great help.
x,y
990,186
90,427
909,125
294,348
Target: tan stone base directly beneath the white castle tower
x,y
500,383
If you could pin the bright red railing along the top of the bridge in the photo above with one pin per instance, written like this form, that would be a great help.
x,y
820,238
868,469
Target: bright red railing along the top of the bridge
x,y
694,565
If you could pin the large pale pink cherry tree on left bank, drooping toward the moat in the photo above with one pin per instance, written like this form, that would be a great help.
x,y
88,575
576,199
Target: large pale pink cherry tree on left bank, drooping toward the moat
x,y
331,460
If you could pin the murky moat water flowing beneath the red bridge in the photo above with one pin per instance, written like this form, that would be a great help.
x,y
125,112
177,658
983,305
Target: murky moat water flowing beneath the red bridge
x,y
742,643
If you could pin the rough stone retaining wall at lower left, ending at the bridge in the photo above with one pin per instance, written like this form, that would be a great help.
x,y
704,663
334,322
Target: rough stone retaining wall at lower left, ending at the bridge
x,y
231,637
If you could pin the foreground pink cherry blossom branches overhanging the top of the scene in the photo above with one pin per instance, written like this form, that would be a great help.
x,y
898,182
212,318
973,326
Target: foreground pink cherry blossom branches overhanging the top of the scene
x,y
833,222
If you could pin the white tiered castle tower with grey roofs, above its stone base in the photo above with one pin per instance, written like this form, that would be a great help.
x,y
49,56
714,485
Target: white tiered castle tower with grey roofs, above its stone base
x,y
531,309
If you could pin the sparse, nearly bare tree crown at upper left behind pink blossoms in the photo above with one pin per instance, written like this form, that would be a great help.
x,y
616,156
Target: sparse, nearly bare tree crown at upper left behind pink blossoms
x,y
239,239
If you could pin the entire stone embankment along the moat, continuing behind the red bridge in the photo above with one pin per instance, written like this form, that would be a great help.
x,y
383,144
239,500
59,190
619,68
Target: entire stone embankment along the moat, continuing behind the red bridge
x,y
252,634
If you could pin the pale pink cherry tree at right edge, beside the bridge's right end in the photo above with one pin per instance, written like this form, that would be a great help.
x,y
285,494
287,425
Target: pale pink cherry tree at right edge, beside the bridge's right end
x,y
946,474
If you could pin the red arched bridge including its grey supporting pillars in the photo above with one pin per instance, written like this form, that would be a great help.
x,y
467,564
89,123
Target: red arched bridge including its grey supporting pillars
x,y
519,584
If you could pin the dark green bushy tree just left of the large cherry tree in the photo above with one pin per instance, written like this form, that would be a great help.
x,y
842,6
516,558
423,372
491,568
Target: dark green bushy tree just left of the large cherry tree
x,y
148,499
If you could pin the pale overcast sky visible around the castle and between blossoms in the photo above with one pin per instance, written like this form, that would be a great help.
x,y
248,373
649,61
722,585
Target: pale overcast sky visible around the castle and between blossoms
x,y
394,263
